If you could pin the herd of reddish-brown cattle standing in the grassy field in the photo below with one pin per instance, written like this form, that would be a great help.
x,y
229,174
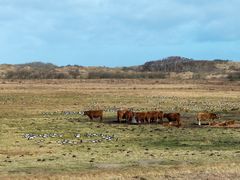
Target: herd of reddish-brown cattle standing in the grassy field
x,y
151,116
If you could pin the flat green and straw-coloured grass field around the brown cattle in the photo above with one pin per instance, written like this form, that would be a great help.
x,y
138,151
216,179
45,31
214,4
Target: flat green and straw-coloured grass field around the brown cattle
x,y
62,144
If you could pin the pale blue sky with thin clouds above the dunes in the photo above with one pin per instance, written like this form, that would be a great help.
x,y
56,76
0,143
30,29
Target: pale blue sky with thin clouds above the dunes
x,y
117,32
